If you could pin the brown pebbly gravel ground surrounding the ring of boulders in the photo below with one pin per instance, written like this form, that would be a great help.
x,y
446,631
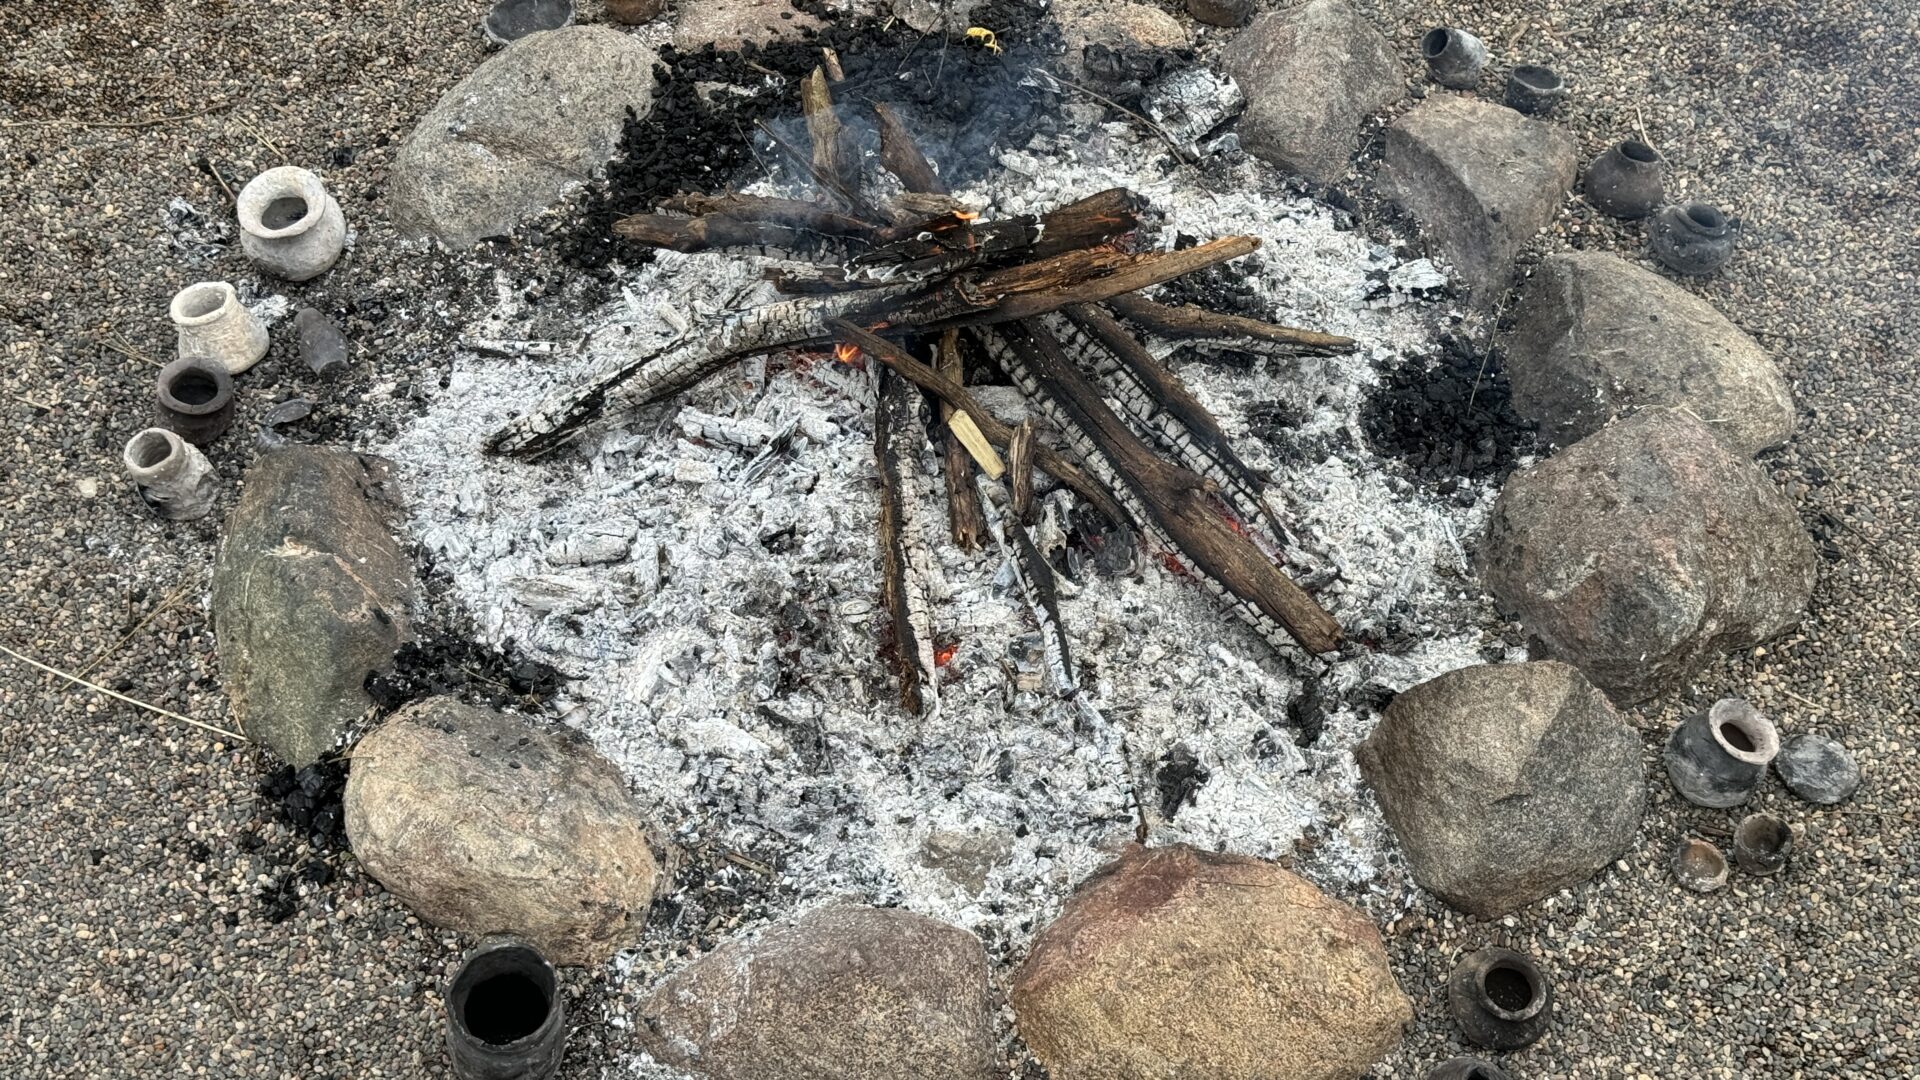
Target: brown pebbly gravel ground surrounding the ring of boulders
x,y
156,920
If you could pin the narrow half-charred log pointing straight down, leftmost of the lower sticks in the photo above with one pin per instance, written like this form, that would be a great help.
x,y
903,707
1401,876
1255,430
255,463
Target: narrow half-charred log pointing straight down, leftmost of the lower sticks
x,y
903,562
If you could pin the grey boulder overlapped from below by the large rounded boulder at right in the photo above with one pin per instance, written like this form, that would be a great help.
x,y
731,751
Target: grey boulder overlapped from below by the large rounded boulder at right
x,y
1595,337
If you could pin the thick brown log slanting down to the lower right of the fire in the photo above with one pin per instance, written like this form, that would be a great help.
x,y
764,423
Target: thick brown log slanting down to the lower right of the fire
x,y
1176,504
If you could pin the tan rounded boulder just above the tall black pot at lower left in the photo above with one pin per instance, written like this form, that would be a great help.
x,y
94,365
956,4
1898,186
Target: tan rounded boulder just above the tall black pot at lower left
x,y
489,825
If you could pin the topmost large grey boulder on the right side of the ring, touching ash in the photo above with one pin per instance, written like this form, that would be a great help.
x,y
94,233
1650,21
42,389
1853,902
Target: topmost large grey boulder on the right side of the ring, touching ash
x,y
1312,76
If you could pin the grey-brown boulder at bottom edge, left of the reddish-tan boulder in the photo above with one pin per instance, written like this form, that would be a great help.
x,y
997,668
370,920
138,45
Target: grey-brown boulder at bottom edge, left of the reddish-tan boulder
x,y
840,993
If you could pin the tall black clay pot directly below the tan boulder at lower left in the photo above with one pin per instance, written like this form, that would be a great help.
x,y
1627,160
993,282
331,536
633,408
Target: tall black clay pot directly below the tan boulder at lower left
x,y
506,1019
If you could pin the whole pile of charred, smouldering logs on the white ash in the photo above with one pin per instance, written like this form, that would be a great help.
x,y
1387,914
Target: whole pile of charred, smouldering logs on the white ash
x,y
913,278
